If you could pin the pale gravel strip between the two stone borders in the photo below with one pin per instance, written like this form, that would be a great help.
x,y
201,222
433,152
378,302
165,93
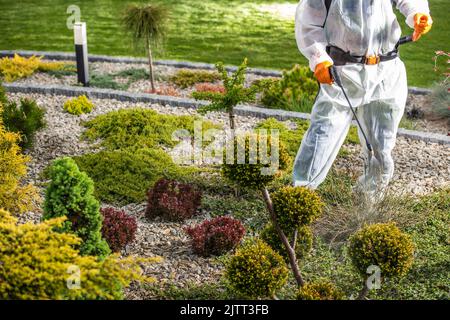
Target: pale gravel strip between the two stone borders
x,y
162,73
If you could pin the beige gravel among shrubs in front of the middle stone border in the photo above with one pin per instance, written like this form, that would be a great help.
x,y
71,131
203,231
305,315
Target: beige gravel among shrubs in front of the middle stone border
x,y
421,167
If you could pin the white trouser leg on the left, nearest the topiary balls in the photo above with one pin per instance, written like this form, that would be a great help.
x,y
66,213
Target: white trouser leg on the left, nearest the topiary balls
x,y
330,123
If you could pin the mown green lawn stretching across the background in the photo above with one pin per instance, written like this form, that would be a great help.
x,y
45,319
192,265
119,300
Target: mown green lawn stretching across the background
x,y
207,31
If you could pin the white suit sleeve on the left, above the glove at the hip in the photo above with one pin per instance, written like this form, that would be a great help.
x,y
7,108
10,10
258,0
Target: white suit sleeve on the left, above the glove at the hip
x,y
309,32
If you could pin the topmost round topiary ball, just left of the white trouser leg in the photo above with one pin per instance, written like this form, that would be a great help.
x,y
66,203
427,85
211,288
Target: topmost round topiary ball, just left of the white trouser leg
x,y
253,174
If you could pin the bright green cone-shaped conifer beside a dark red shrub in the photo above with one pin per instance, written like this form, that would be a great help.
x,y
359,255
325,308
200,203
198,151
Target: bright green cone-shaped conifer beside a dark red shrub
x,y
70,194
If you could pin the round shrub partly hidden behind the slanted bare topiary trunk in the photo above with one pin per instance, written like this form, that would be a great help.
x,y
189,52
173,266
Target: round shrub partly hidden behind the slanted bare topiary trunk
x,y
304,241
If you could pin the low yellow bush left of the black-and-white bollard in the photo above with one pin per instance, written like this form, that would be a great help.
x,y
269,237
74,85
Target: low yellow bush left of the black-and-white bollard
x,y
18,67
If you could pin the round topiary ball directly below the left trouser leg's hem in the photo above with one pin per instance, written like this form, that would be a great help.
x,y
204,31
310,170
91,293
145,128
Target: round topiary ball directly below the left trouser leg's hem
x,y
296,207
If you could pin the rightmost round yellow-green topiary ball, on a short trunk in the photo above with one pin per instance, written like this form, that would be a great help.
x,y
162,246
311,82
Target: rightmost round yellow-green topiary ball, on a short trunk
x,y
382,245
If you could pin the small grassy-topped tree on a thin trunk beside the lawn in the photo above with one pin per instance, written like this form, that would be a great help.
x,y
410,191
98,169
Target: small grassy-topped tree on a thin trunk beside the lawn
x,y
147,25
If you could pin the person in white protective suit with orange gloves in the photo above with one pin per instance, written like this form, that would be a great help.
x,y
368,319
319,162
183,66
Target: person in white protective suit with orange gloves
x,y
359,38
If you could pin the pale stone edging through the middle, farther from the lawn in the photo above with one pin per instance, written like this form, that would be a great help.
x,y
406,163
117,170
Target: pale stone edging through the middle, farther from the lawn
x,y
243,110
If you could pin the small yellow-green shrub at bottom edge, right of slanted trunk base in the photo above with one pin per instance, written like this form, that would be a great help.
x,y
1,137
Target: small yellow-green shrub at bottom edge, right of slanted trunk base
x,y
319,290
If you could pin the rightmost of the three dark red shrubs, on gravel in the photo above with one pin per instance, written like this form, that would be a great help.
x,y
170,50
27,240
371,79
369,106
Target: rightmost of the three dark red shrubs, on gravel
x,y
216,236
